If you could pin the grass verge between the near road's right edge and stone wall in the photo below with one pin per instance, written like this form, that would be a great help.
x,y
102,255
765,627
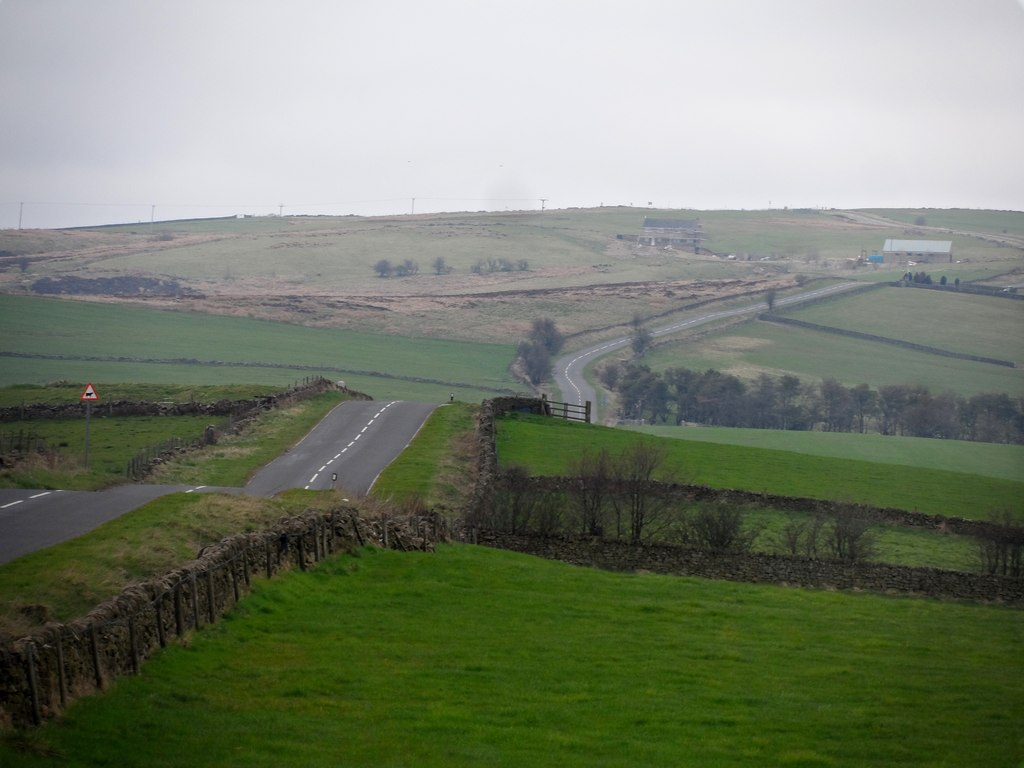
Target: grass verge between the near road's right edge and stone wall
x,y
434,471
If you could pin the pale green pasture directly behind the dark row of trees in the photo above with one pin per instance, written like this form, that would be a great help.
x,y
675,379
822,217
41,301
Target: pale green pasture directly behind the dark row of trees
x,y
755,348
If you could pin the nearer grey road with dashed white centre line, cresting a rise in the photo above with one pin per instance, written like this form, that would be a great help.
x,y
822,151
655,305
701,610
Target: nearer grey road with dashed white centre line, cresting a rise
x,y
357,441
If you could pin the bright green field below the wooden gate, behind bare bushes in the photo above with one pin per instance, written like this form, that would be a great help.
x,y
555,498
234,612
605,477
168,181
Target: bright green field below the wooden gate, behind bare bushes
x,y
546,447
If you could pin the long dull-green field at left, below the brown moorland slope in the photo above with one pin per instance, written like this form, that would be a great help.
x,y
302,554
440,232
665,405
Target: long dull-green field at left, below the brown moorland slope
x,y
192,342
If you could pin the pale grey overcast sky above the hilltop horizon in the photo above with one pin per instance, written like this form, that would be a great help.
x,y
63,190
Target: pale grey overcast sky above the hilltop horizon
x,y
122,110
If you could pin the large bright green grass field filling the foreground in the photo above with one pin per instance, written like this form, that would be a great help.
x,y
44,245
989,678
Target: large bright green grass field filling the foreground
x,y
474,657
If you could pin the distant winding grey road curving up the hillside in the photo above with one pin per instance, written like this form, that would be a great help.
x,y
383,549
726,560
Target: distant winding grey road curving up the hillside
x,y
569,369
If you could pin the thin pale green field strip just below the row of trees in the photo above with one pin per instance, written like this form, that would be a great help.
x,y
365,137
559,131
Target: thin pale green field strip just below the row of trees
x,y
988,459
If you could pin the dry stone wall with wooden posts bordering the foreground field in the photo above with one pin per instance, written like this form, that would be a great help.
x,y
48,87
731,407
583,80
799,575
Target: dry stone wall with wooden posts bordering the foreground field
x,y
41,673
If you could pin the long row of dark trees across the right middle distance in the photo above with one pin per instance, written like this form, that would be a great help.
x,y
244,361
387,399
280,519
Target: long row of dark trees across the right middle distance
x,y
679,396
